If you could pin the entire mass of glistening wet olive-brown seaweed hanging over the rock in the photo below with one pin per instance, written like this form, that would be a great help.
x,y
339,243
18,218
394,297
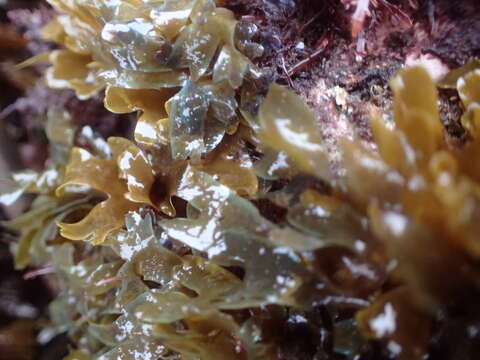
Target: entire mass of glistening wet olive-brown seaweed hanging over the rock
x,y
160,245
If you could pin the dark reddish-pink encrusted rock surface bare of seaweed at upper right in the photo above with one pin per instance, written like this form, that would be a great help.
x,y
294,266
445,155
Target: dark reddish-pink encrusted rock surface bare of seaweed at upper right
x,y
367,42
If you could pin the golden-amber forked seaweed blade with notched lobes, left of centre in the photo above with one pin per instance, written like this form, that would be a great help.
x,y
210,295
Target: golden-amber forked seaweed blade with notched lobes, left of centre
x,y
106,176
